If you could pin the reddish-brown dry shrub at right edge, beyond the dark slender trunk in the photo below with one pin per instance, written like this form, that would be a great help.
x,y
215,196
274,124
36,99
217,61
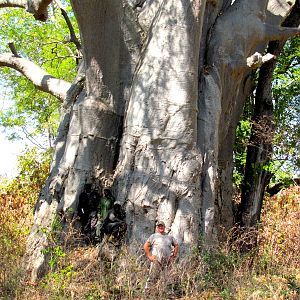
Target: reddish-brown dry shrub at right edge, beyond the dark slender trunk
x,y
280,228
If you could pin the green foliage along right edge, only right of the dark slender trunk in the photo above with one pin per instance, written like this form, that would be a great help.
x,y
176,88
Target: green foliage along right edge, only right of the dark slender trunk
x,y
286,91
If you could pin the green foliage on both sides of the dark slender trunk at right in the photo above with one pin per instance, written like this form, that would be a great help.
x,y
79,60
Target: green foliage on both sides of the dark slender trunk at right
x,y
285,160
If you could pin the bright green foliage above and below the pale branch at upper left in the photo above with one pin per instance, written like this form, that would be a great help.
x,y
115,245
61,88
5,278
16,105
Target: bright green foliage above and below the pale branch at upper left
x,y
28,111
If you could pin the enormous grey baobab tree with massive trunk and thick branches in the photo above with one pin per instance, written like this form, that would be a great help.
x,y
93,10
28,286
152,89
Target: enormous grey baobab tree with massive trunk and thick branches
x,y
153,110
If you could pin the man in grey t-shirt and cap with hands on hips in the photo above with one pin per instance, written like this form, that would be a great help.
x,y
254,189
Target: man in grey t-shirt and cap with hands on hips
x,y
161,249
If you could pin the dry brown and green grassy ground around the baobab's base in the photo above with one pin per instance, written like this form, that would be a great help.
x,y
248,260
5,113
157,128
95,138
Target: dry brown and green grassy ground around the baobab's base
x,y
270,271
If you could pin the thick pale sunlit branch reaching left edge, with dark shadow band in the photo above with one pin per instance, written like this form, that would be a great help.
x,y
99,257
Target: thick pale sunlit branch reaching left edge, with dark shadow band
x,y
41,79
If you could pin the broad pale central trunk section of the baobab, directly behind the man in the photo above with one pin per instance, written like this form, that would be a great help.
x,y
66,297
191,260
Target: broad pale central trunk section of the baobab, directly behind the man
x,y
158,174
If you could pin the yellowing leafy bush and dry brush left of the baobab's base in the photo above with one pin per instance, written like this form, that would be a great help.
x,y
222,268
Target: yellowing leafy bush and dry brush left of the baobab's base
x,y
17,198
